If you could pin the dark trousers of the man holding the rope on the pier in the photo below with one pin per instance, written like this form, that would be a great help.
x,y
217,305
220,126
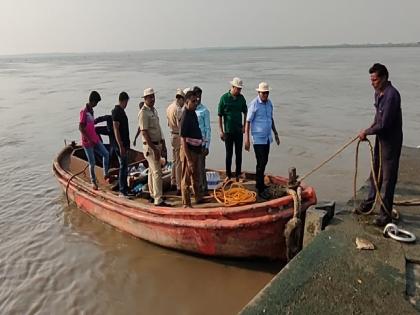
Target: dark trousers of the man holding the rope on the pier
x,y
391,151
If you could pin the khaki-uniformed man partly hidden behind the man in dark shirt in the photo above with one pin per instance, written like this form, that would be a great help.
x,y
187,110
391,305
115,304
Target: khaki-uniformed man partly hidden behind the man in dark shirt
x,y
173,115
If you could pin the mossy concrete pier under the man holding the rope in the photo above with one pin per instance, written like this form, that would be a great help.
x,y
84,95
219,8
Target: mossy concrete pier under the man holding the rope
x,y
331,276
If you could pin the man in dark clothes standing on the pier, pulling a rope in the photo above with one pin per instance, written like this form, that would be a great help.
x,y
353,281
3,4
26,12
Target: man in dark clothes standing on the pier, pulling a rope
x,y
387,127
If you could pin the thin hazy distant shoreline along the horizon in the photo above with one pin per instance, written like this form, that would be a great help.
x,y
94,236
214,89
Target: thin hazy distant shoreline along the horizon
x,y
381,45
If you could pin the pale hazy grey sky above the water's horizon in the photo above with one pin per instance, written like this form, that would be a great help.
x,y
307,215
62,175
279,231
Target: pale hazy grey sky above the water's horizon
x,y
36,26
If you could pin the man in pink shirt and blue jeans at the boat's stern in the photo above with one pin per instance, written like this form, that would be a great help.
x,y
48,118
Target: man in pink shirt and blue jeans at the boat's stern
x,y
90,139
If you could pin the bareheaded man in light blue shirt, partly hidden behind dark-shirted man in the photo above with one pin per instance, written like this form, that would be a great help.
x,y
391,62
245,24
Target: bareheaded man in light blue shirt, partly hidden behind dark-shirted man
x,y
203,116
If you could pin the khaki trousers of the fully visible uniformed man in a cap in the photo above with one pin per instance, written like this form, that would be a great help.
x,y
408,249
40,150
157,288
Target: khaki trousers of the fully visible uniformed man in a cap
x,y
155,175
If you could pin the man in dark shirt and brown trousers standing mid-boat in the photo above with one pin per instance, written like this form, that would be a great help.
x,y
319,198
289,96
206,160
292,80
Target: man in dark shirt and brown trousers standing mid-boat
x,y
191,150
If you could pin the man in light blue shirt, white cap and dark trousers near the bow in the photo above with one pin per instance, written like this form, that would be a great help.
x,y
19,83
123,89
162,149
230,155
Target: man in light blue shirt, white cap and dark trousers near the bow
x,y
260,120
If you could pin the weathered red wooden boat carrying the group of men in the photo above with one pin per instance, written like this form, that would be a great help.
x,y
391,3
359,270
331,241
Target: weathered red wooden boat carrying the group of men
x,y
252,230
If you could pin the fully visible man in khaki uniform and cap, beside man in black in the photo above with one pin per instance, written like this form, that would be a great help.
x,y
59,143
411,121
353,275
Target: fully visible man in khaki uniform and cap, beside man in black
x,y
153,145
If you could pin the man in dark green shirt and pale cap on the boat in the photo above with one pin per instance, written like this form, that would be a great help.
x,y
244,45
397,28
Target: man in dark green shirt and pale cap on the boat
x,y
232,106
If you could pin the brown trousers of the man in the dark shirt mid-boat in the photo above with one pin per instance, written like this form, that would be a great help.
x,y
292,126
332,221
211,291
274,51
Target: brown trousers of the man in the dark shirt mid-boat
x,y
189,179
